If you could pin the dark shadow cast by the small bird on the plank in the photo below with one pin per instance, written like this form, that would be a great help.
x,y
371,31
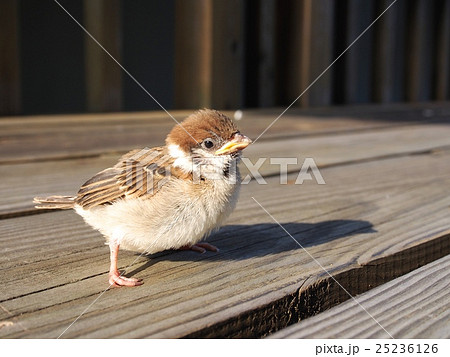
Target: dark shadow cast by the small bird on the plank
x,y
240,242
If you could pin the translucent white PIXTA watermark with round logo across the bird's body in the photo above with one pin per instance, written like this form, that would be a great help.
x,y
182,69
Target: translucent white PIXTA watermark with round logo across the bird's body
x,y
148,170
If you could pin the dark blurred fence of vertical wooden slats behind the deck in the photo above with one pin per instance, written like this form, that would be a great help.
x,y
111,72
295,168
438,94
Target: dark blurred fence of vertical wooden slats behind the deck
x,y
225,54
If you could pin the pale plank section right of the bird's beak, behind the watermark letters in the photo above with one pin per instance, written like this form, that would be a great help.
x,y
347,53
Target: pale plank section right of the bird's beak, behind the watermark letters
x,y
346,148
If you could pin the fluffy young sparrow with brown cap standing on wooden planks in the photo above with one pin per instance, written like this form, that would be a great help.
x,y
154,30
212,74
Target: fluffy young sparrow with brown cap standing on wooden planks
x,y
168,197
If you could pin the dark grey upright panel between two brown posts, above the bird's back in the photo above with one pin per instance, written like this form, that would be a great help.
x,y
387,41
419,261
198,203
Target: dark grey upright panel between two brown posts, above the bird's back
x,y
148,52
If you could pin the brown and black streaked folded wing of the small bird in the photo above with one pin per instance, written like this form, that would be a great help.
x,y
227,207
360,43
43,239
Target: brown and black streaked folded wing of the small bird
x,y
139,173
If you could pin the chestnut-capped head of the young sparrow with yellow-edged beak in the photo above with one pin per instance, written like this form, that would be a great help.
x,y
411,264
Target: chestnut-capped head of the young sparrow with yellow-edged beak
x,y
206,140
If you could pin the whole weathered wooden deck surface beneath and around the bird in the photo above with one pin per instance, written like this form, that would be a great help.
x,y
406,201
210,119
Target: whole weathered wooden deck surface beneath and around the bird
x,y
383,213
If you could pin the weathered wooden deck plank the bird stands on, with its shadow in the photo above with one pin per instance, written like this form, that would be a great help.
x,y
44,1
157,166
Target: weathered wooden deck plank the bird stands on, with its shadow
x,y
370,223
